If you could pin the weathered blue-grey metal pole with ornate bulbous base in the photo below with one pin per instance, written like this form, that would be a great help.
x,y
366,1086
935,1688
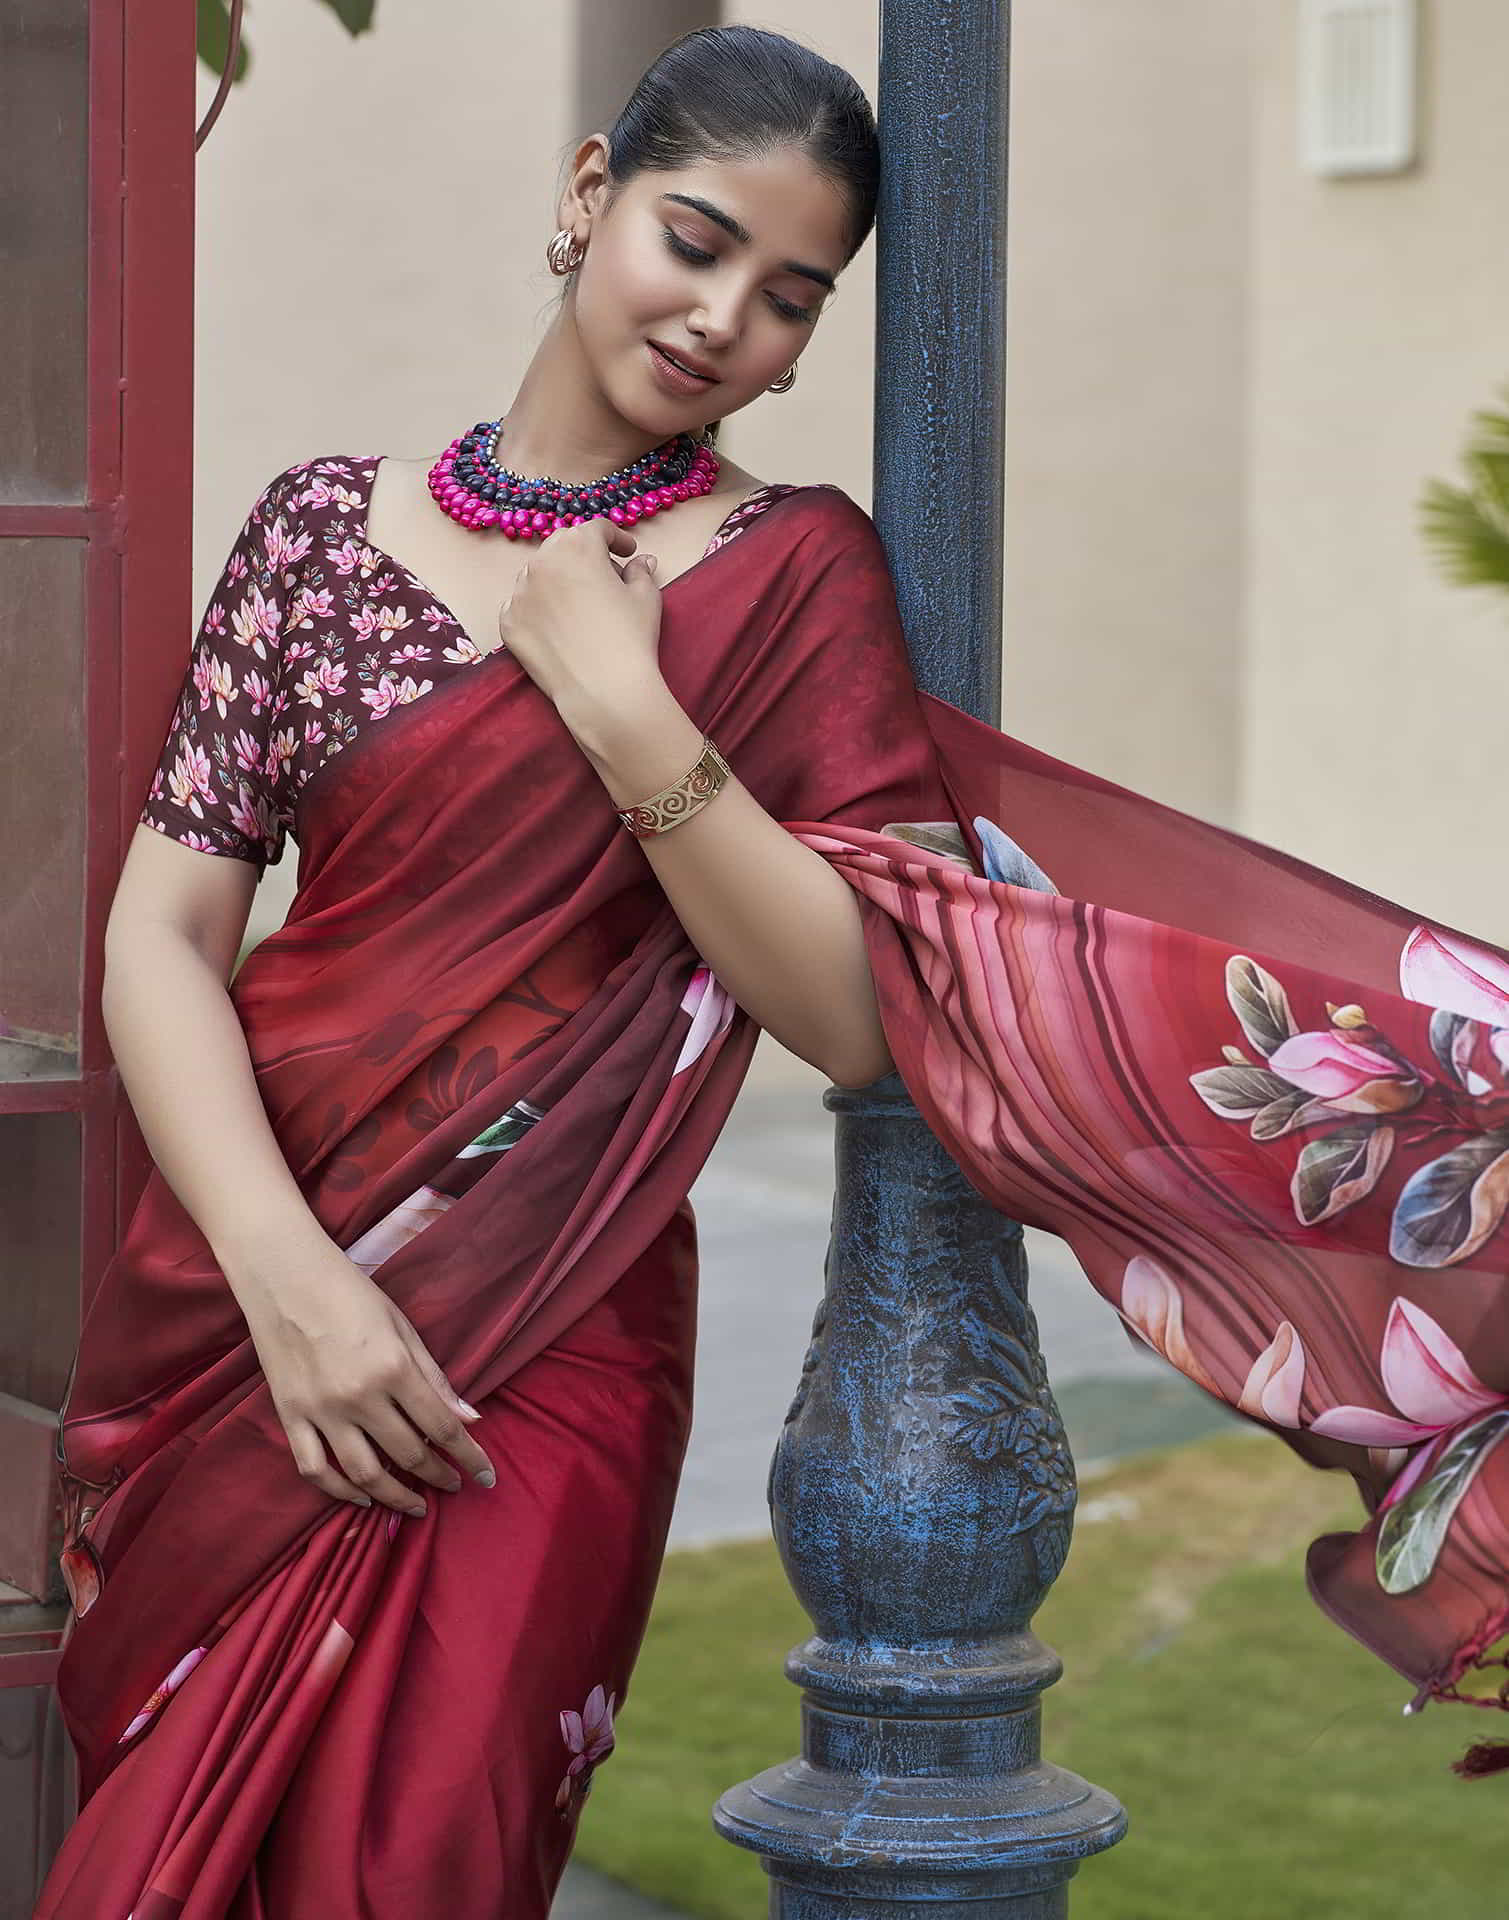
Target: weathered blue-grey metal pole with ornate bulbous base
x,y
922,1489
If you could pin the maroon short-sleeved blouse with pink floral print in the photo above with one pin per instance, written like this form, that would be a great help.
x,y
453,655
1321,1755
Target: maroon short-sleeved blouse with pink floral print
x,y
312,636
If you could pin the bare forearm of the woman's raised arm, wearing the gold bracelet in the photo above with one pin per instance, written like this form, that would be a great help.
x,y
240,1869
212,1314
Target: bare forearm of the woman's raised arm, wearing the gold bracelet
x,y
771,917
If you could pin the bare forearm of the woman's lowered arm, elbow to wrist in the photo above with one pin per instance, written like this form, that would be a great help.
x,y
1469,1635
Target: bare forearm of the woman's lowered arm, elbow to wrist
x,y
187,1070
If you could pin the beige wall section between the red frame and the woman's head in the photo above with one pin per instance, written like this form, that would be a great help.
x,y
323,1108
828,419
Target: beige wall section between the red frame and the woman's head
x,y
360,287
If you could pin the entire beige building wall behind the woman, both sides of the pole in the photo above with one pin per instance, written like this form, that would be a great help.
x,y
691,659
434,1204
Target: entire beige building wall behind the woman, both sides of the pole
x,y
1228,381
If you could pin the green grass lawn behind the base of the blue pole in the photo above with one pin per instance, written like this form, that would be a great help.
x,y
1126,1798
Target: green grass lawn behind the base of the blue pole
x,y
1260,1754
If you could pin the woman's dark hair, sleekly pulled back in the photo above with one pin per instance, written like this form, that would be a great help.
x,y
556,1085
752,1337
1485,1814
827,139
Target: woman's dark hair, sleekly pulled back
x,y
736,93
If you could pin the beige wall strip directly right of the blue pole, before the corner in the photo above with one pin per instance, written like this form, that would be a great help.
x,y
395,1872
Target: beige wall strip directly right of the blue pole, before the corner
x,y
1126,402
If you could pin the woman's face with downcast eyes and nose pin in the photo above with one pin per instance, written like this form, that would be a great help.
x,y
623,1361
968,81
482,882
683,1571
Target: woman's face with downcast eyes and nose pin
x,y
725,266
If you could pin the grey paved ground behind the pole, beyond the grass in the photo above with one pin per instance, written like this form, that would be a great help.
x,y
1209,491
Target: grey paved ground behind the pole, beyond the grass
x,y
763,1214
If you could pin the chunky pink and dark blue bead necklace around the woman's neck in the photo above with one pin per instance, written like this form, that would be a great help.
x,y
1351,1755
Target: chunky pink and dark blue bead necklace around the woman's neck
x,y
479,494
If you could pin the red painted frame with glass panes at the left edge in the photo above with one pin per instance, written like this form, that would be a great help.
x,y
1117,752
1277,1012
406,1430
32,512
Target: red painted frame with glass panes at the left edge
x,y
137,577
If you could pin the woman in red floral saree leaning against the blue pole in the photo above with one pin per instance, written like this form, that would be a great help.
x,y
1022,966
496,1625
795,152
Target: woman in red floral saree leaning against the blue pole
x,y
339,1627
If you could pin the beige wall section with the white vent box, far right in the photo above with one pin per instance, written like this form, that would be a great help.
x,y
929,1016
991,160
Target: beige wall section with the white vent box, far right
x,y
1377,698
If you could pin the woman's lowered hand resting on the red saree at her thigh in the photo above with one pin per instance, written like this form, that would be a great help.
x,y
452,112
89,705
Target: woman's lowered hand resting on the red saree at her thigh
x,y
348,1374
